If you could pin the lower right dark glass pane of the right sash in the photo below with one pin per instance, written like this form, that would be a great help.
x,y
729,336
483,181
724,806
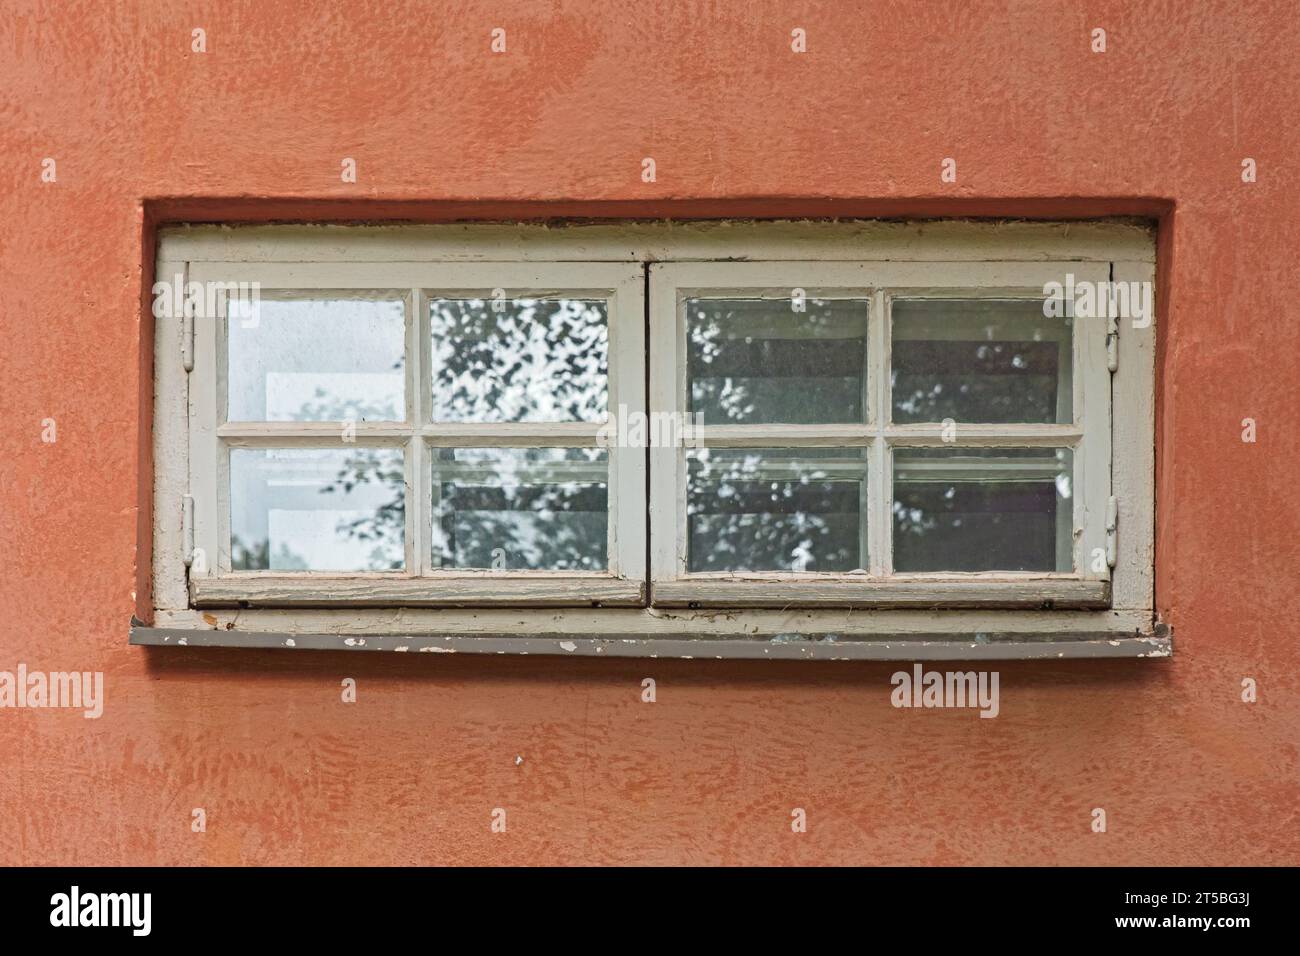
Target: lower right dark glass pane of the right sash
x,y
983,511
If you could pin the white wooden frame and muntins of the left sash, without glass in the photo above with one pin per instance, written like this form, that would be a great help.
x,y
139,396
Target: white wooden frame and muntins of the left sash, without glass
x,y
213,438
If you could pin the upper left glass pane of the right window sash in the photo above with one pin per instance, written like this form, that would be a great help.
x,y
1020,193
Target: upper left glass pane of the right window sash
x,y
760,361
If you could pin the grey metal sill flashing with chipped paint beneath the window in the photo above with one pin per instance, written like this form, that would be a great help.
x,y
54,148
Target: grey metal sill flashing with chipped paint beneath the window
x,y
829,647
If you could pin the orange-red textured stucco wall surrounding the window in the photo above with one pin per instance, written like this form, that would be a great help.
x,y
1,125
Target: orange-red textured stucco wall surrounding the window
x,y
1039,126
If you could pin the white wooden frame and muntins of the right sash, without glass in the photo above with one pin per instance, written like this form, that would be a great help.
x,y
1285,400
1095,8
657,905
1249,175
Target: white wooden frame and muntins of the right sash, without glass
x,y
881,284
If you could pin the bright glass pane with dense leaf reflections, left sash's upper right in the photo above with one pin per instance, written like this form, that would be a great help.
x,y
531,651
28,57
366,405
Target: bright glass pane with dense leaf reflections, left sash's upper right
x,y
519,360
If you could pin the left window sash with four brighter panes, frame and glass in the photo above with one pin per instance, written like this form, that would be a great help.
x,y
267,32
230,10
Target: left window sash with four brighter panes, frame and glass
x,y
307,434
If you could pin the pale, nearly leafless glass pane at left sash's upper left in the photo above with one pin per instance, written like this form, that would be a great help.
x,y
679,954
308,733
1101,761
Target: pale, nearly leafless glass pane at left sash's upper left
x,y
318,361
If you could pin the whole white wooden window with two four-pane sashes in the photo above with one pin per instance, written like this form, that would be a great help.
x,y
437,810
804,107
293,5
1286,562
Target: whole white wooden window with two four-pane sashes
x,y
655,436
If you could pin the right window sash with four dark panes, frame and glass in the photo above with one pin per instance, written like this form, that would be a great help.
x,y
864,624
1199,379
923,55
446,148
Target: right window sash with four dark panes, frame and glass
x,y
879,435
